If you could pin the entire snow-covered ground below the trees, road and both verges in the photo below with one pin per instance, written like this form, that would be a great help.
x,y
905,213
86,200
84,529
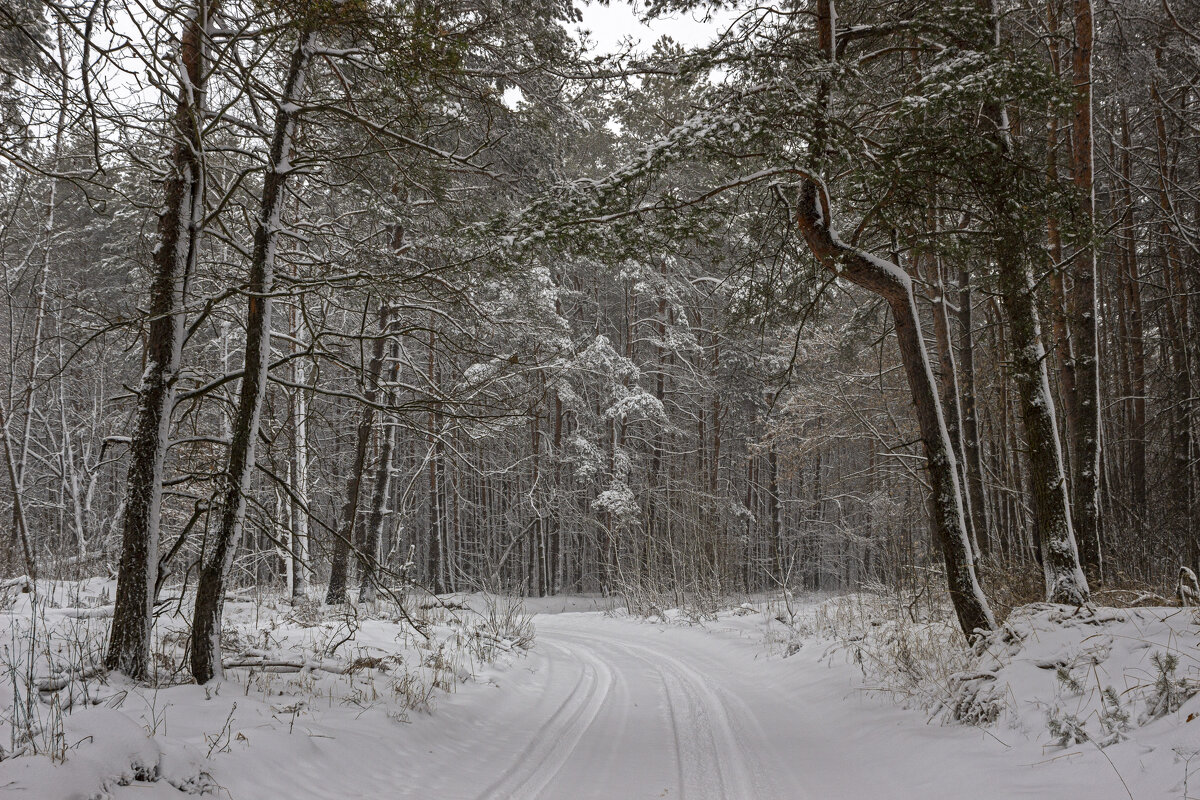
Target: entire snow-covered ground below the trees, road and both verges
x,y
759,702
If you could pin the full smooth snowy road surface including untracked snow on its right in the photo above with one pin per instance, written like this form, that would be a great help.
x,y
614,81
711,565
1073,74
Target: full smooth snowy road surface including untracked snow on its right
x,y
615,709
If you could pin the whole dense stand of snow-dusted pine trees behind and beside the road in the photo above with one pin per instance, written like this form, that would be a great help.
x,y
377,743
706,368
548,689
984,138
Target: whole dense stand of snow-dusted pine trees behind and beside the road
x,y
373,294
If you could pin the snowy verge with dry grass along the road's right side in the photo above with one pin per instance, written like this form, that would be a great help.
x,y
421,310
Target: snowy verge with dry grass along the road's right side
x,y
1115,690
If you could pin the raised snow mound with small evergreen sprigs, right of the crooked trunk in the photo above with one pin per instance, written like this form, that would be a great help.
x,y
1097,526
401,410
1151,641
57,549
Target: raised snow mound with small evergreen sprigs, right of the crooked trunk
x,y
1126,681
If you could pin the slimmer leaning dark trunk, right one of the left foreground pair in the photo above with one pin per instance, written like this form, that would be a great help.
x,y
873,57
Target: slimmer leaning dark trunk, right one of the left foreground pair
x,y
219,561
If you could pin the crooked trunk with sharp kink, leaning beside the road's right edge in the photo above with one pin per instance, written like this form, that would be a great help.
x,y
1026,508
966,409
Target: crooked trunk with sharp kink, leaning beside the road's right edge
x,y
895,286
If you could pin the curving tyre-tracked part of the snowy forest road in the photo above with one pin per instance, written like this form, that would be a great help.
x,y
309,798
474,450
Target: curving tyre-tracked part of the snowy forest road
x,y
608,709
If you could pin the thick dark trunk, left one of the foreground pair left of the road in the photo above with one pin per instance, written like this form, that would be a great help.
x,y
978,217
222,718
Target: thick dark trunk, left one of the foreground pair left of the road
x,y
129,642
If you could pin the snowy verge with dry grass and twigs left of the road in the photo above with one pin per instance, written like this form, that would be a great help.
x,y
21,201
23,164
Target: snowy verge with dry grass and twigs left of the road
x,y
313,695
